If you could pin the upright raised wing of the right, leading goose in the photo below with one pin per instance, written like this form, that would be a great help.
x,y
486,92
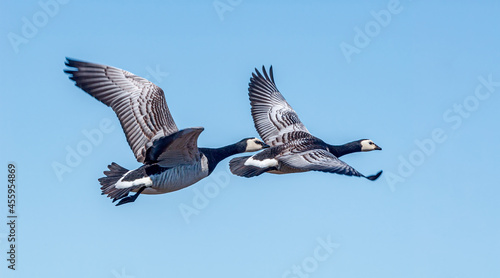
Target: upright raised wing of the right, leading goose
x,y
273,117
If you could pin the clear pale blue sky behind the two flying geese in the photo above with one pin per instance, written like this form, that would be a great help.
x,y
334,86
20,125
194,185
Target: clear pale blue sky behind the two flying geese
x,y
411,83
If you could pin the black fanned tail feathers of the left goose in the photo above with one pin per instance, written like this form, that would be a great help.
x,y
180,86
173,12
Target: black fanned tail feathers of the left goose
x,y
115,173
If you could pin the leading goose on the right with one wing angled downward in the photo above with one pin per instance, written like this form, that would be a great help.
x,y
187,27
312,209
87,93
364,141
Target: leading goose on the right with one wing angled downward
x,y
293,148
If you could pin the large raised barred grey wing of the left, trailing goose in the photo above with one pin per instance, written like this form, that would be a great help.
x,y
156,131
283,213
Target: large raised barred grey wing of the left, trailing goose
x,y
139,104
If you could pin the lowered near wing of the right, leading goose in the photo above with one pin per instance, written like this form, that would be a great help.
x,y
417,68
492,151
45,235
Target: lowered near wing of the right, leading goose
x,y
319,160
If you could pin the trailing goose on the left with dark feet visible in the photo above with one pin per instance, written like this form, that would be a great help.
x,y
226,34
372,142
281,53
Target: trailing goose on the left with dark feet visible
x,y
171,157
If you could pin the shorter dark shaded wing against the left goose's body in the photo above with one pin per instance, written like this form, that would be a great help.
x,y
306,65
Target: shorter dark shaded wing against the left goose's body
x,y
178,148
